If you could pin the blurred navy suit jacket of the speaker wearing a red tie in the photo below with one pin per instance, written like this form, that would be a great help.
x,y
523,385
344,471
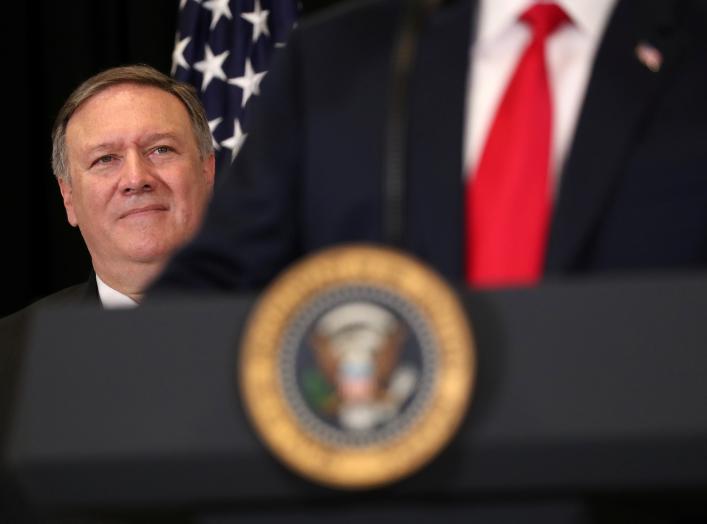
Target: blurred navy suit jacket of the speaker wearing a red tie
x,y
633,191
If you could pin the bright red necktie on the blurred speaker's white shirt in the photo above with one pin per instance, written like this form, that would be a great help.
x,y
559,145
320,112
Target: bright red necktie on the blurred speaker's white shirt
x,y
508,200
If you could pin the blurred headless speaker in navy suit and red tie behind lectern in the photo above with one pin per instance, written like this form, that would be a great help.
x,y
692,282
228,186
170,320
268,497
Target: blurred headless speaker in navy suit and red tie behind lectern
x,y
542,139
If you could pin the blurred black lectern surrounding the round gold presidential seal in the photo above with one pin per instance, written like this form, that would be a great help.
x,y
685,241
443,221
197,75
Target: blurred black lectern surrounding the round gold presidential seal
x,y
595,388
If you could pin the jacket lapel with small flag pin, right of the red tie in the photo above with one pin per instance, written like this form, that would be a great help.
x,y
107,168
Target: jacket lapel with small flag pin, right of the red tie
x,y
619,97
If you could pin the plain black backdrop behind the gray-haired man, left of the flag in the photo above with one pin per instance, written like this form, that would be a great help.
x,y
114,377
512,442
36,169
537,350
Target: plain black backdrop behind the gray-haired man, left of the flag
x,y
50,47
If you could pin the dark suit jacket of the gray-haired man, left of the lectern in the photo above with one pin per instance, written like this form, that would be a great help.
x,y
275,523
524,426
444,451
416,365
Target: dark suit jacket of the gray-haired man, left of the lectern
x,y
14,331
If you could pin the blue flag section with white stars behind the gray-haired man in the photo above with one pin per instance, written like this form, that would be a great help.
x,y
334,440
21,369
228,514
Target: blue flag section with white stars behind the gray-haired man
x,y
223,48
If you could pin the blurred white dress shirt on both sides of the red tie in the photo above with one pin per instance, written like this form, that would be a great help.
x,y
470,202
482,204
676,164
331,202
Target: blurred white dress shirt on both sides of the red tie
x,y
500,41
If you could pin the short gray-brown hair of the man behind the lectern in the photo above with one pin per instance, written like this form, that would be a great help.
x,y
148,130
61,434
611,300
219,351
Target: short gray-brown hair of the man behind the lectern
x,y
133,74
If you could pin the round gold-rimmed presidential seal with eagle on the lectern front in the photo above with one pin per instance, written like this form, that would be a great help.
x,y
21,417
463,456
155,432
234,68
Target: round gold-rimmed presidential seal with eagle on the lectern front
x,y
357,366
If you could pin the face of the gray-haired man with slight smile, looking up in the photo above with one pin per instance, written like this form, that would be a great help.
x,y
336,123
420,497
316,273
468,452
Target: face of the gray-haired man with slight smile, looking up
x,y
138,188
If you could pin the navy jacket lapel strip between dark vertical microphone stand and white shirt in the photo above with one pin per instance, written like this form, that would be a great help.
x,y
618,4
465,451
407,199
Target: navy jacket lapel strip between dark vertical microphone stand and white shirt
x,y
438,95
